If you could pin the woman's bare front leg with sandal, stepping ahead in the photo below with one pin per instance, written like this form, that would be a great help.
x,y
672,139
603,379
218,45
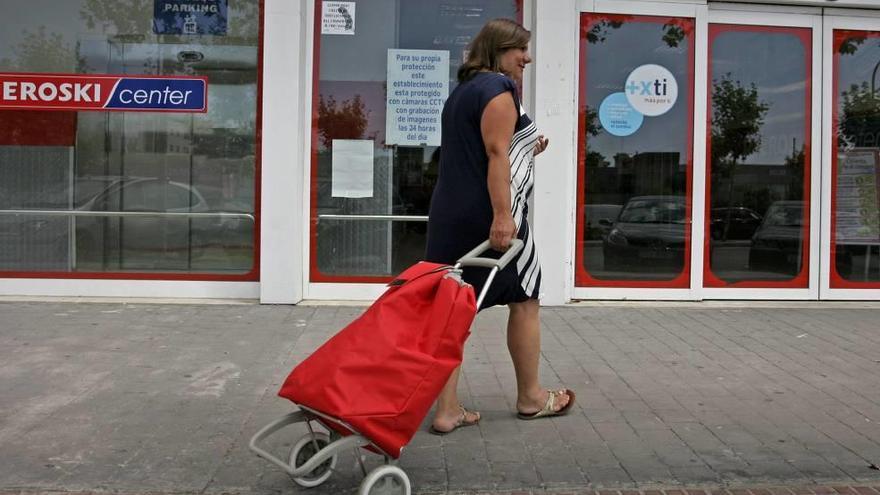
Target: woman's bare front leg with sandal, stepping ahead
x,y
524,344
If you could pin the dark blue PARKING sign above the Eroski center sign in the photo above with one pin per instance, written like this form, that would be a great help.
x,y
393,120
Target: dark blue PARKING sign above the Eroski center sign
x,y
190,17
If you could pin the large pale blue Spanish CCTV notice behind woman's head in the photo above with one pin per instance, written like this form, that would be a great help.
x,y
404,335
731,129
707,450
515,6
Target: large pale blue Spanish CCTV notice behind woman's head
x,y
418,85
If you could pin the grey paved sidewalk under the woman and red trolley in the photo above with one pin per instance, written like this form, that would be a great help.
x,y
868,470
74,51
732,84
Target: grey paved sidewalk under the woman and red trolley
x,y
675,398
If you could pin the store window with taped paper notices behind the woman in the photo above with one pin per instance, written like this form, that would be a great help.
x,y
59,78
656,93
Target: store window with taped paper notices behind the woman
x,y
383,70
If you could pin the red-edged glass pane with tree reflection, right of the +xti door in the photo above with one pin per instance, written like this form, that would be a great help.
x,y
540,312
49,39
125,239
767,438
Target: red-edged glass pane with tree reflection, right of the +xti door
x,y
760,128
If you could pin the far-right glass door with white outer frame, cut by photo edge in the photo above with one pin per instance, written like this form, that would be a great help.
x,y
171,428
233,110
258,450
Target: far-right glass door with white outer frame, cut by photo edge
x,y
851,263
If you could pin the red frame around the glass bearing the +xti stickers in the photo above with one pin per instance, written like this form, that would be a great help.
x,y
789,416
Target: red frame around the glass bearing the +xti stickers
x,y
582,277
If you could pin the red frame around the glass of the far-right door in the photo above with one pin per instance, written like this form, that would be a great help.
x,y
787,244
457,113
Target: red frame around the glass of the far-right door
x,y
836,281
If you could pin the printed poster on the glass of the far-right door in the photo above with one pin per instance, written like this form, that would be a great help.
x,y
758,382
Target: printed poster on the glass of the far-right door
x,y
858,198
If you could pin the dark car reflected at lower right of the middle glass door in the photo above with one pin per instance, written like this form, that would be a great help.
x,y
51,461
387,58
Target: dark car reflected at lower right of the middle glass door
x,y
778,241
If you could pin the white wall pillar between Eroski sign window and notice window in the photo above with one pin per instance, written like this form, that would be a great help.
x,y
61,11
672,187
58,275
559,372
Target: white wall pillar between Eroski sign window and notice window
x,y
284,106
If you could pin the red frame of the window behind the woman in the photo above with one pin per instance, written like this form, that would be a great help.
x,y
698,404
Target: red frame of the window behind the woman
x,y
315,274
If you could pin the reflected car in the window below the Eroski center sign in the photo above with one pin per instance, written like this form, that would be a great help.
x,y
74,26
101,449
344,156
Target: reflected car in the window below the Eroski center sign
x,y
141,242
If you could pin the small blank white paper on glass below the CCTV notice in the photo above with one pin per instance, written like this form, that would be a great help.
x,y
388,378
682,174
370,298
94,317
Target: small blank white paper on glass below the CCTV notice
x,y
352,175
